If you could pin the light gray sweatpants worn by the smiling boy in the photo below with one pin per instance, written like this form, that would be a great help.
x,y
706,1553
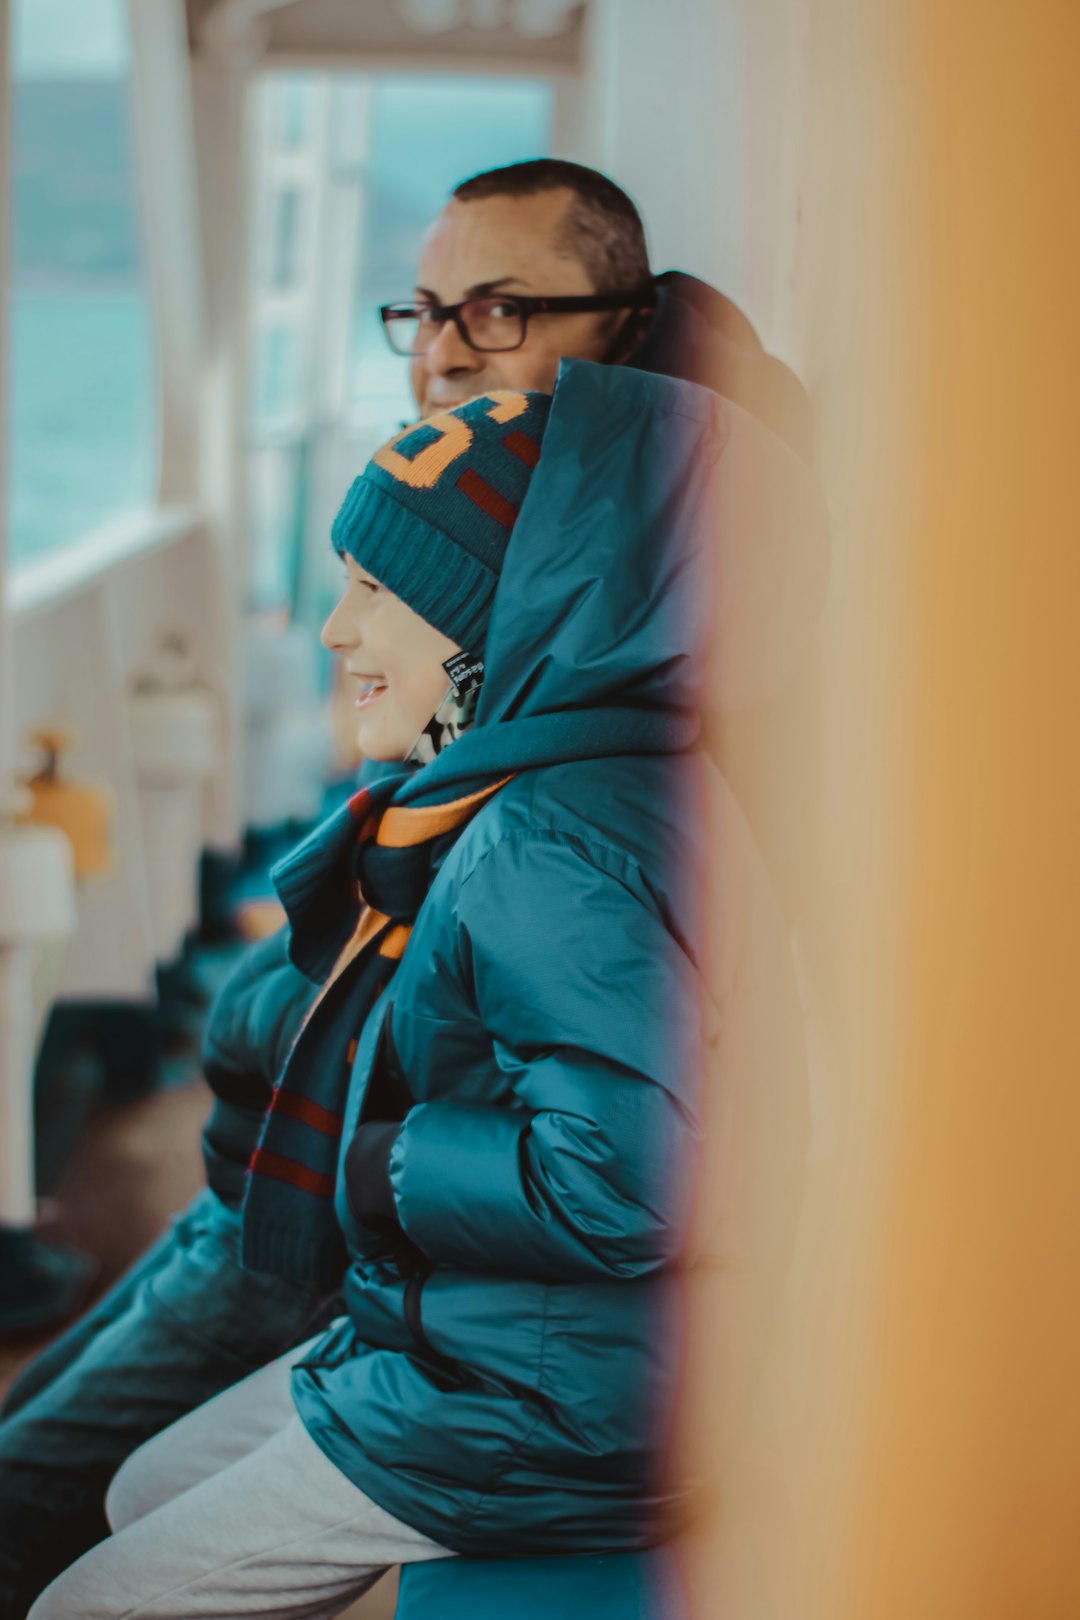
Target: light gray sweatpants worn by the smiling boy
x,y
234,1511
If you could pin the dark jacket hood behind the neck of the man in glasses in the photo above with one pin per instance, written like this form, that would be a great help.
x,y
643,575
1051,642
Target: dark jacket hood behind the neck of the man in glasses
x,y
700,336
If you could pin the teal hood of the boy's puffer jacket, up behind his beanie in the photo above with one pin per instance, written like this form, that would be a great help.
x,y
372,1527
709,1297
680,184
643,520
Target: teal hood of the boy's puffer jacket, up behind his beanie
x,y
668,556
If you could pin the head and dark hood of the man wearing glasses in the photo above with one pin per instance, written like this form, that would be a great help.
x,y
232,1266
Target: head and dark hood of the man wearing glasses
x,y
548,260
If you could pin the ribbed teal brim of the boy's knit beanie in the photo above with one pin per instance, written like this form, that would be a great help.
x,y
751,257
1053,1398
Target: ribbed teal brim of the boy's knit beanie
x,y
443,584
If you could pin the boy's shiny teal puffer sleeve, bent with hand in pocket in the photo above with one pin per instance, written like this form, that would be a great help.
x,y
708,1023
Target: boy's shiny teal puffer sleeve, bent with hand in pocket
x,y
587,1167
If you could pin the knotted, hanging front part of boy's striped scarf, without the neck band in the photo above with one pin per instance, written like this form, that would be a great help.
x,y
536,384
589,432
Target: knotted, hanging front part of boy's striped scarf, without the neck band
x,y
385,859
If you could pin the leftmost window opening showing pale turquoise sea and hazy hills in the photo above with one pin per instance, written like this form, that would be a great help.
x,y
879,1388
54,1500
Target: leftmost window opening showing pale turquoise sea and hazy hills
x,y
83,414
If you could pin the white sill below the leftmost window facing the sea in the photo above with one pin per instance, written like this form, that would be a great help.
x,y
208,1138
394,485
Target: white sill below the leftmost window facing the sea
x,y
80,566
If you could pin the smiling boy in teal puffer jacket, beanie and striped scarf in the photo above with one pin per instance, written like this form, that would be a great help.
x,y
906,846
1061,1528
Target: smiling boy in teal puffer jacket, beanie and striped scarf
x,y
493,1111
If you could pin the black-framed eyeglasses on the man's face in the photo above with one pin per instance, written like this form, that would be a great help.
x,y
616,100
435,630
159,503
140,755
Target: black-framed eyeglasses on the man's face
x,y
491,325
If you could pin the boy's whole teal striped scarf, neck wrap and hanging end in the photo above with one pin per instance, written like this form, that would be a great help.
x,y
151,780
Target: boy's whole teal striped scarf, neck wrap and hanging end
x,y
352,892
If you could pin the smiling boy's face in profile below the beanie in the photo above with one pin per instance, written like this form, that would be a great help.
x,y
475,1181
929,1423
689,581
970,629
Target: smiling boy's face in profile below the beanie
x,y
396,660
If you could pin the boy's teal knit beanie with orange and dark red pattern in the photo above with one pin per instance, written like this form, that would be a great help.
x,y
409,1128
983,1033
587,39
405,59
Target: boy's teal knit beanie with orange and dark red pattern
x,y
432,514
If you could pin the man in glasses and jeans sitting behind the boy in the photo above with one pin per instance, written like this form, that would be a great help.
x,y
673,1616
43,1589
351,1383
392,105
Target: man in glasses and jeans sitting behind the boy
x,y
524,266
